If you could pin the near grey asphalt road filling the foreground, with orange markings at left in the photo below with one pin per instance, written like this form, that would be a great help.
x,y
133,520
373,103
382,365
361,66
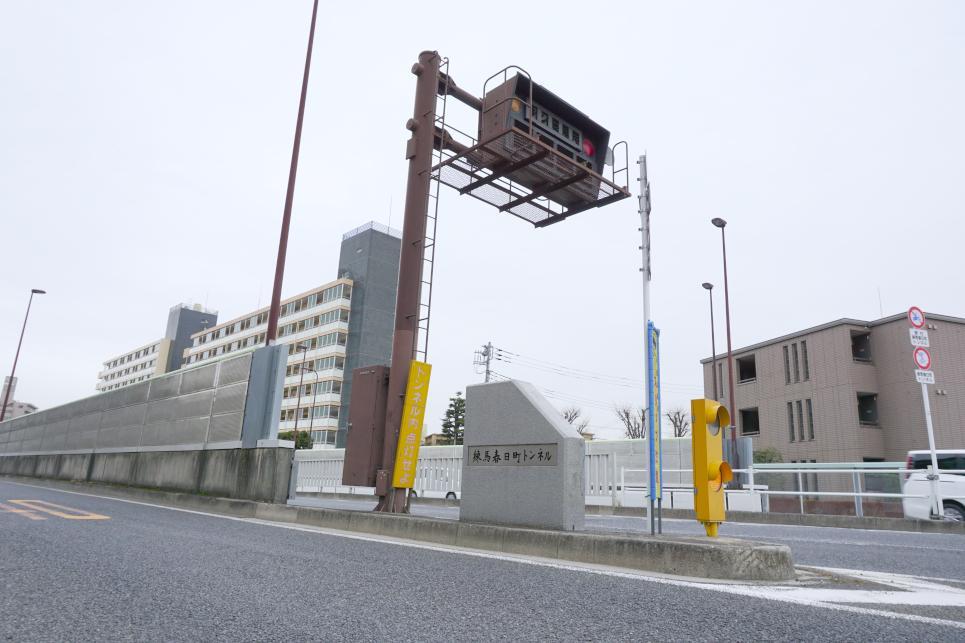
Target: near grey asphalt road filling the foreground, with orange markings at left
x,y
79,567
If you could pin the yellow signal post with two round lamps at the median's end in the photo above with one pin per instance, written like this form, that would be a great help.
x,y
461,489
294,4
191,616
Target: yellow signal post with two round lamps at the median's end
x,y
711,471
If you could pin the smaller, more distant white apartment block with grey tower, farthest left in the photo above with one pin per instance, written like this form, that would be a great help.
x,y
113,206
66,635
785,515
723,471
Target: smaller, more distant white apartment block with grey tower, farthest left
x,y
159,356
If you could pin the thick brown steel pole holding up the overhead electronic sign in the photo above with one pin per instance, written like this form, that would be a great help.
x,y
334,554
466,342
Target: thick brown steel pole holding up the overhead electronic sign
x,y
419,155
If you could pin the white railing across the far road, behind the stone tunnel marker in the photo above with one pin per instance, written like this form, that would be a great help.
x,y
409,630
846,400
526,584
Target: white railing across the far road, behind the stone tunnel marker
x,y
874,488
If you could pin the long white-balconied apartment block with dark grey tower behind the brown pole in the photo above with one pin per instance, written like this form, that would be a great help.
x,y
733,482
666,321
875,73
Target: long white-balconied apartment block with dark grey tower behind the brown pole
x,y
329,330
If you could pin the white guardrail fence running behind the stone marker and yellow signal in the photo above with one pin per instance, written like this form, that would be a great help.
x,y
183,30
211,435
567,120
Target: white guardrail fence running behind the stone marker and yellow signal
x,y
608,480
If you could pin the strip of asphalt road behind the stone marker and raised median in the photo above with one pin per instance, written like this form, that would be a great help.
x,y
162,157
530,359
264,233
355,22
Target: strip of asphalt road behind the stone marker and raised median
x,y
931,555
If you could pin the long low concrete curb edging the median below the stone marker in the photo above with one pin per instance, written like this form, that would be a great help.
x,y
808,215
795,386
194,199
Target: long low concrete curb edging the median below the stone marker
x,y
722,559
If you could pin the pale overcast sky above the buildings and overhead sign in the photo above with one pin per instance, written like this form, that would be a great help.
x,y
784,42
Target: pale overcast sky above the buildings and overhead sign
x,y
144,151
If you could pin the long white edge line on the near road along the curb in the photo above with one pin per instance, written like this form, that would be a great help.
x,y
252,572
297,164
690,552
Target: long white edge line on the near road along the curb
x,y
783,594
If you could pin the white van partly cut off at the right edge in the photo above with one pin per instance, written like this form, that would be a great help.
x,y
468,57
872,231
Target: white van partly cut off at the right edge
x,y
951,486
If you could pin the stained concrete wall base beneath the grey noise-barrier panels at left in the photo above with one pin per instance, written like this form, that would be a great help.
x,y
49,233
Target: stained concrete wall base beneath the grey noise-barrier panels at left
x,y
249,474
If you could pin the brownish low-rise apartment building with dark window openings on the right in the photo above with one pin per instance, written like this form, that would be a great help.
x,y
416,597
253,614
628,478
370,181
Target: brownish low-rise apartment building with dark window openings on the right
x,y
845,391
